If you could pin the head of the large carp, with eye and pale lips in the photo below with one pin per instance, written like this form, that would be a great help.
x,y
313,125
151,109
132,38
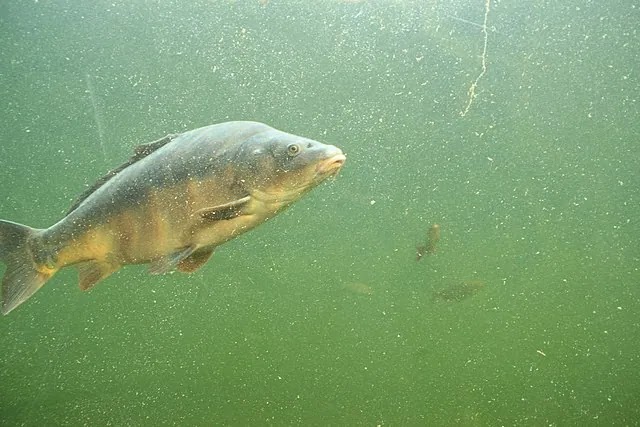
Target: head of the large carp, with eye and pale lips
x,y
281,167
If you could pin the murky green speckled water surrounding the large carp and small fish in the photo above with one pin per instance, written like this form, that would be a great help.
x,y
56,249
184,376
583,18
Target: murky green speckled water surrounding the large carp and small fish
x,y
322,316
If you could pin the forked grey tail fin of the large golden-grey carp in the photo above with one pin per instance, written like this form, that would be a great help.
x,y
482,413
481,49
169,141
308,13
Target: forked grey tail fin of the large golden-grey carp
x,y
23,276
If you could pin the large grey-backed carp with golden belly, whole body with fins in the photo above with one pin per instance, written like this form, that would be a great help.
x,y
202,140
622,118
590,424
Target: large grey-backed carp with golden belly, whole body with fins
x,y
170,205
